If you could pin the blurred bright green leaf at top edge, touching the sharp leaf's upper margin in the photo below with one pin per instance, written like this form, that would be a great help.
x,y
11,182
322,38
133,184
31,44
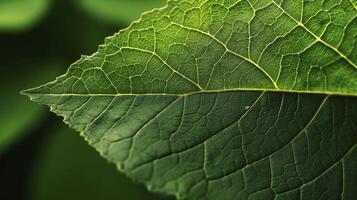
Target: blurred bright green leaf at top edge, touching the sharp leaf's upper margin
x,y
117,12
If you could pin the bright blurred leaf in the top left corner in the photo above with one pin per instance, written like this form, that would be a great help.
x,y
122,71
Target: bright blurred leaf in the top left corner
x,y
21,14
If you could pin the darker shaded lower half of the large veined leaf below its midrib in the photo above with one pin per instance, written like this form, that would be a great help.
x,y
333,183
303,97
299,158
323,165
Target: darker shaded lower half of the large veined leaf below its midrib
x,y
223,145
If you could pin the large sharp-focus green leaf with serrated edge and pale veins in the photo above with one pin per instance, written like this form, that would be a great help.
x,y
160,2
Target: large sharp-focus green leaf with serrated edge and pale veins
x,y
223,100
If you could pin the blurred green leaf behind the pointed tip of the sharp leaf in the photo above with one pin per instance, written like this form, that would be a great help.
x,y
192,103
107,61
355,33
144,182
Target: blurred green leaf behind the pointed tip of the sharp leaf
x,y
16,113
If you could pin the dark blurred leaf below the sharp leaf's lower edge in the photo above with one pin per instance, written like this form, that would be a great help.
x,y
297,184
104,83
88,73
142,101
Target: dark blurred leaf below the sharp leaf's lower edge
x,y
67,168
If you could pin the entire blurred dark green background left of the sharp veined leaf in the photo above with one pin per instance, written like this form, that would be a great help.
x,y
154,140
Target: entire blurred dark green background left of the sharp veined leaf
x,y
40,158
